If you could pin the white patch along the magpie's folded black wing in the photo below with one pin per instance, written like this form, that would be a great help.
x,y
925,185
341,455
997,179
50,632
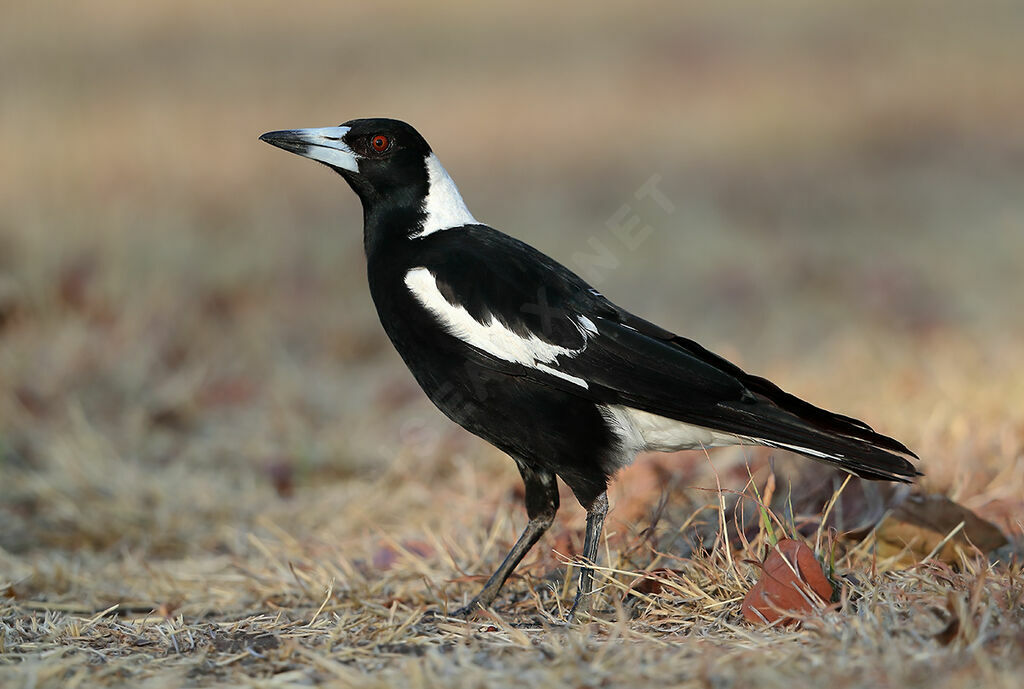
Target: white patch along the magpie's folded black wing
x,y
492,337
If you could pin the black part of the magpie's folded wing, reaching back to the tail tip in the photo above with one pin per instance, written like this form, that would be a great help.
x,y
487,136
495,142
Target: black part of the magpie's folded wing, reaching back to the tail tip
x,y
627,361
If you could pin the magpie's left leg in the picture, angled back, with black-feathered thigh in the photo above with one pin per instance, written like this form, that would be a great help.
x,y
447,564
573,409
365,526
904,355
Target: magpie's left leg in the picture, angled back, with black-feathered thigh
x,y
542,504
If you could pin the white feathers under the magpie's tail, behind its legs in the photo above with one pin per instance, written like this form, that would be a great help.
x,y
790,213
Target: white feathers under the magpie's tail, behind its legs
x,y
645,432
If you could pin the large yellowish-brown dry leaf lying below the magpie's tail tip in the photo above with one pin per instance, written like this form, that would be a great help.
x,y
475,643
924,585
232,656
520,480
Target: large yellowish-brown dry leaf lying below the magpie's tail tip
x,y
918,527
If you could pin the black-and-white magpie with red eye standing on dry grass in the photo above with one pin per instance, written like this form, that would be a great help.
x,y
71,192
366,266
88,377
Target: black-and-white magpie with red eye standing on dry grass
x,y
520,351
